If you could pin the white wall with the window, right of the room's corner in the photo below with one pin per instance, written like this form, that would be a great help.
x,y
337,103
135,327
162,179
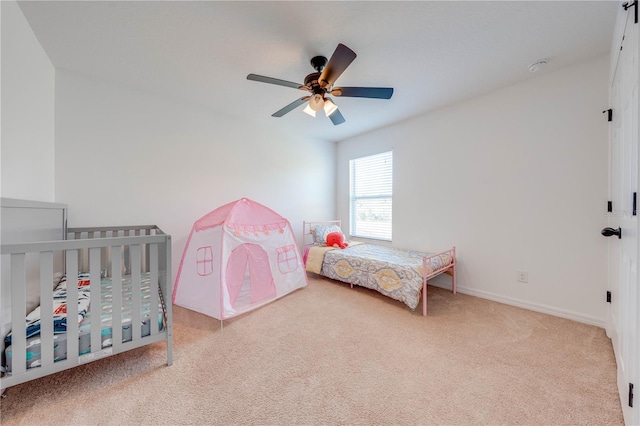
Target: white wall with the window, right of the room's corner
x,y
516,180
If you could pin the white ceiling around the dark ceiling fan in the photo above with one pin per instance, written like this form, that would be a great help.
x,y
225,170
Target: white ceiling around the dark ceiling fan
x,y
432,53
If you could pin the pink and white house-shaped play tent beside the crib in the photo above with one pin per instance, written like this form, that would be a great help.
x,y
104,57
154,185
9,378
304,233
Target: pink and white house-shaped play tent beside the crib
x,y
238,257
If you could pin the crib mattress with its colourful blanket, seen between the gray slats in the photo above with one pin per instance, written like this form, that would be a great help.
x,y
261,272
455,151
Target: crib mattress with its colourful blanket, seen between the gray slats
x,y
86,315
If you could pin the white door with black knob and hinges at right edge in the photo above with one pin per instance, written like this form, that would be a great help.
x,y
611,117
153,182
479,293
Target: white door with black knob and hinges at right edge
x,y
623,315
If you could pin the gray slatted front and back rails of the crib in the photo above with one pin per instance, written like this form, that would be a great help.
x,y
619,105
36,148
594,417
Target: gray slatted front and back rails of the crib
x,y
102,252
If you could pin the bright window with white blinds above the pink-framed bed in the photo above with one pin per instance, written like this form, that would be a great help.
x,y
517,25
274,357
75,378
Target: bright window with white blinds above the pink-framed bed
x,y
371,196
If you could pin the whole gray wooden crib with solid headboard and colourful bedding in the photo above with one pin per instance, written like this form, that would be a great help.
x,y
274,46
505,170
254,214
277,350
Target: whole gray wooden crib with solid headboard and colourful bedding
x,y
72,296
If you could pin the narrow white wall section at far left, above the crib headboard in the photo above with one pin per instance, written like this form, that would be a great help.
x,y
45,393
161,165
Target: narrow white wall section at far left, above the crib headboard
x,y
28,111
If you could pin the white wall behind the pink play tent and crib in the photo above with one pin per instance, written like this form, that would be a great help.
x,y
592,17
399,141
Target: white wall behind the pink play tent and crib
x,y
125,156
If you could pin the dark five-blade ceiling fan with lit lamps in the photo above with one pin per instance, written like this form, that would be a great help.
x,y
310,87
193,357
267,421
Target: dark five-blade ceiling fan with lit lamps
x,y
320,83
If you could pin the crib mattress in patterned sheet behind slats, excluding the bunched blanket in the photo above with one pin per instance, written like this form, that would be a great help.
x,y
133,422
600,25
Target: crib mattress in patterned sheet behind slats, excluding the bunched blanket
x,y
33,358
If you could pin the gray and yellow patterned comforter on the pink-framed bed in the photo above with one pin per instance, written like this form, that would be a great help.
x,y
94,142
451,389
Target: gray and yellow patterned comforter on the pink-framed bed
x,y
393,272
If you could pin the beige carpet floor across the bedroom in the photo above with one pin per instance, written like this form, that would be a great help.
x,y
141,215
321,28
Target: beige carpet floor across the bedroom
x,y
327,354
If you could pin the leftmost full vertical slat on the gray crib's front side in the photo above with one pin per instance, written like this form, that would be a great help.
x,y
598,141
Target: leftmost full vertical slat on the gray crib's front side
x,y
18,312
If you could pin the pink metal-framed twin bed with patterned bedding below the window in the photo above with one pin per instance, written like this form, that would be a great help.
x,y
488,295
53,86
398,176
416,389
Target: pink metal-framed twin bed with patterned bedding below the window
x,y
399,274
